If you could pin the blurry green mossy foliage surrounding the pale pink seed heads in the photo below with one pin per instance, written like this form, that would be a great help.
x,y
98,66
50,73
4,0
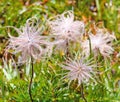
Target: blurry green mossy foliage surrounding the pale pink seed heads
x,y
48,85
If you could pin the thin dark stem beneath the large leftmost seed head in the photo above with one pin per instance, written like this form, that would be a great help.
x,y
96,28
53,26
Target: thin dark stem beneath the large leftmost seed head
x,y
31,79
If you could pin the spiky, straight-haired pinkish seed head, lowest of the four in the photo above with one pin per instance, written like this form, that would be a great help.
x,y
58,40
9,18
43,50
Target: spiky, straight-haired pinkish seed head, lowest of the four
x,y
78,70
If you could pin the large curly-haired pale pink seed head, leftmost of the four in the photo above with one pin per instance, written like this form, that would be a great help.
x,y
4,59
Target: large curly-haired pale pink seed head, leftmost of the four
x,y
29,42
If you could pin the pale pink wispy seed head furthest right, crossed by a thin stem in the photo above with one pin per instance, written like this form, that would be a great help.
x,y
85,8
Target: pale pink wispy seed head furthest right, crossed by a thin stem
x,y
100,42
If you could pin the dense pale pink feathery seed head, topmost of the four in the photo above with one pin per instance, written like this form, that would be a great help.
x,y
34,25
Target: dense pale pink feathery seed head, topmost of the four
x,y
65,27
